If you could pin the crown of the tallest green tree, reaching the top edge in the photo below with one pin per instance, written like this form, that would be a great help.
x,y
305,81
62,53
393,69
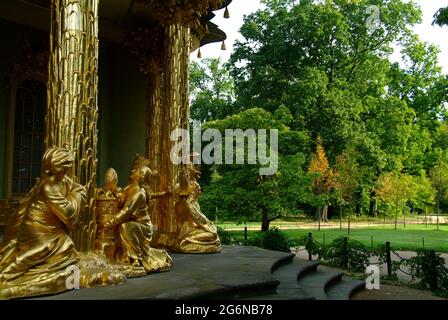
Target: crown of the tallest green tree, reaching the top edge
x,y
316,57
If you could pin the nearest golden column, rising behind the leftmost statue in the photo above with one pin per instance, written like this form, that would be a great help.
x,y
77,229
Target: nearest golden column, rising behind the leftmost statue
x,y
72,98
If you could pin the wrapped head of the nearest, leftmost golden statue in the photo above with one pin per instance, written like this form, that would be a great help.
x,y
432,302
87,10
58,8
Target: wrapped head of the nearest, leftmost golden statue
x,y
57,160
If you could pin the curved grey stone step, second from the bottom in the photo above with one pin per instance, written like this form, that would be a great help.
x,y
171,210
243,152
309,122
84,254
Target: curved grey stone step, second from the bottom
x,y
316,283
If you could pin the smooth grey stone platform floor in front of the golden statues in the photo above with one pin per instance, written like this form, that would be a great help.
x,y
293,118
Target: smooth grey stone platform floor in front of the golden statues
x,y
234,273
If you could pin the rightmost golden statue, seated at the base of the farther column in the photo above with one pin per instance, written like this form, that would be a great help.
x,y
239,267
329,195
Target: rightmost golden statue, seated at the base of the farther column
x,y
196,234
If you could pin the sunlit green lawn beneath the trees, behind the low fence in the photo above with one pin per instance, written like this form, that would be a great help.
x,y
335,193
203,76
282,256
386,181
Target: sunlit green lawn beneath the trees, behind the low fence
x,y
410,238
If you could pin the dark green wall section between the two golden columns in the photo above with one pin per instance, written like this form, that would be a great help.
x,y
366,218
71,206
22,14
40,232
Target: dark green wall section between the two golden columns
x,y
122,111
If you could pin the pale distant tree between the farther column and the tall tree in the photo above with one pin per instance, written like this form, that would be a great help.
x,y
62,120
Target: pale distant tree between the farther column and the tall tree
x,y
211,90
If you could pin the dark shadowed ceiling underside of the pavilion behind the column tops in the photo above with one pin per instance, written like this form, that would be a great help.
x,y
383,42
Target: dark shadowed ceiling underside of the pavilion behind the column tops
x,y
117,17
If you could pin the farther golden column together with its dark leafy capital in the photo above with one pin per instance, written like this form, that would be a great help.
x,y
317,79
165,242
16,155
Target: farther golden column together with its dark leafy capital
x,y
163,54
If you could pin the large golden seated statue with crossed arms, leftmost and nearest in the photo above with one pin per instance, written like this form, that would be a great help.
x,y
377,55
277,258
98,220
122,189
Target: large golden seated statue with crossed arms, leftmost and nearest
x,y
37,255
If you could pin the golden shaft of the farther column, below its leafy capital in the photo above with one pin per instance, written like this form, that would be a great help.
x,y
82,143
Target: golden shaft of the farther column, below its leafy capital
x,y
174,114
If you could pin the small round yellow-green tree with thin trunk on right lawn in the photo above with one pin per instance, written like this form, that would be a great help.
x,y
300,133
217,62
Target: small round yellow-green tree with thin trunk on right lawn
x,y
395,188
